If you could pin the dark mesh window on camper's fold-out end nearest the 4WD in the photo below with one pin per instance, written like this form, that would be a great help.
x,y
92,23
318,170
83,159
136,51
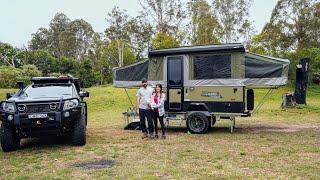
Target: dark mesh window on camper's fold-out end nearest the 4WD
x,y
133,73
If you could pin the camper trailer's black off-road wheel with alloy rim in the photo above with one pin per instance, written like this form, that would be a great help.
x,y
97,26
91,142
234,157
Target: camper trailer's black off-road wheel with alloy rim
x,y
198,123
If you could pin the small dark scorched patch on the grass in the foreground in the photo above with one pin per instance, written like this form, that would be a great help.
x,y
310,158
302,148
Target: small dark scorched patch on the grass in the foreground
x,y
97,164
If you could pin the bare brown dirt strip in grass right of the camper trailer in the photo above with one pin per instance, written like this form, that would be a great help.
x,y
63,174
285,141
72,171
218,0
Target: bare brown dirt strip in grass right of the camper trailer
x,y
280,128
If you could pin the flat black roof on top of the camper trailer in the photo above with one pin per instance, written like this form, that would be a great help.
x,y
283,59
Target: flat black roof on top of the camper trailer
x,y
235,47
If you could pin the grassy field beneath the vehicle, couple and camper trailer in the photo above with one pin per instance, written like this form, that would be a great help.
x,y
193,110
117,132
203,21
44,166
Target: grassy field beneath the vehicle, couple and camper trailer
x,y
273,144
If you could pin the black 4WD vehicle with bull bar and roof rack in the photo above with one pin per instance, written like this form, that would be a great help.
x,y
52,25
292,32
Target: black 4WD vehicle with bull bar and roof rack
x,y
49,106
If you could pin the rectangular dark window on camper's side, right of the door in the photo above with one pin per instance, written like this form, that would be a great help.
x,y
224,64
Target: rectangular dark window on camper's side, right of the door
x,y
212,66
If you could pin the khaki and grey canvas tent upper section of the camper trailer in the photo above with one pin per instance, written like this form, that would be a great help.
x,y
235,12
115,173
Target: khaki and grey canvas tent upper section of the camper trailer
x,y
213,65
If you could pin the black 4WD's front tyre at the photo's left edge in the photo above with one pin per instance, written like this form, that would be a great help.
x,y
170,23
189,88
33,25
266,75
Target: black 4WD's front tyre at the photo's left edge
x,y
9,140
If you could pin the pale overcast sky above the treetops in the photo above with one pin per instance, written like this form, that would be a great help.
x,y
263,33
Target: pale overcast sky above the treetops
x,y
20,18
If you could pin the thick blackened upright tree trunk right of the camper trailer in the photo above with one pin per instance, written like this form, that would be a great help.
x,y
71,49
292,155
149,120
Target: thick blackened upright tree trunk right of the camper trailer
x,y
302,81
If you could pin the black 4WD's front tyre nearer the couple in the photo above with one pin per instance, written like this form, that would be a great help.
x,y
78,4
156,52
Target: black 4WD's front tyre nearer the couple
x,y
79,132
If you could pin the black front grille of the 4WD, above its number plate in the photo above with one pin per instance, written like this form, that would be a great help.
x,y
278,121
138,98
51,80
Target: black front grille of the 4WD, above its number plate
x,y
38,108
